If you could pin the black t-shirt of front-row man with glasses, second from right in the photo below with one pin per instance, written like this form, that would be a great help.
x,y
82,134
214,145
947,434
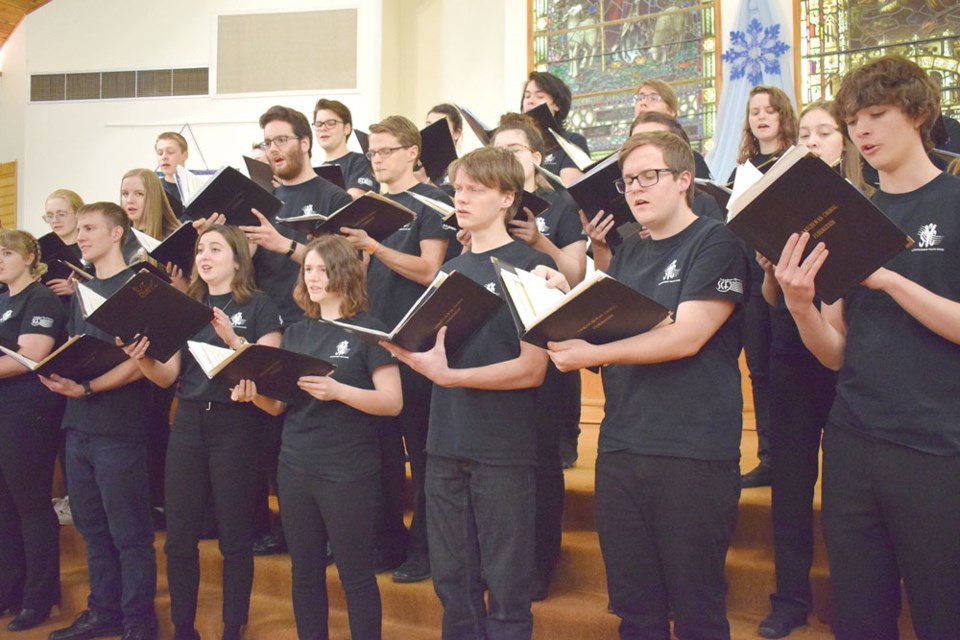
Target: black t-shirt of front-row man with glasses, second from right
x,y
687,408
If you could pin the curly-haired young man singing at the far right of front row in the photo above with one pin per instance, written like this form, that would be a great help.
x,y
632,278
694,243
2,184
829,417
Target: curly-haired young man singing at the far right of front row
x,y
891,447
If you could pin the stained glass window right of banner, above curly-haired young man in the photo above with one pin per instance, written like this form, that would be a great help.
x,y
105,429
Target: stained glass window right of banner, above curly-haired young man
x,y
837,35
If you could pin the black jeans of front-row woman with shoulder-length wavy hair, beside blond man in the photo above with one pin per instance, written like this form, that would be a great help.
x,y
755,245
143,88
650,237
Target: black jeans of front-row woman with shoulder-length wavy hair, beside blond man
x,y
316,511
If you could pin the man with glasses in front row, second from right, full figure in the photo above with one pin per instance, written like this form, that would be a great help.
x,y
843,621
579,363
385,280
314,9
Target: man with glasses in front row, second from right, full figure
x,y
668,475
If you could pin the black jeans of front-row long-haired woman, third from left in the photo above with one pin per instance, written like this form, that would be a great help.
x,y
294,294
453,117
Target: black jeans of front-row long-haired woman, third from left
x,y
211,448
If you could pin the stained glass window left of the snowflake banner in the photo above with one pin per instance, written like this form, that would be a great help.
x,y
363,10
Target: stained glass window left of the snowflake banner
x,y
603,49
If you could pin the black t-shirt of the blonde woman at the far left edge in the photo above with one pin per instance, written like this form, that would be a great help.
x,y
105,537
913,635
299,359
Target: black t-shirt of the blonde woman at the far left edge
x,y
35,310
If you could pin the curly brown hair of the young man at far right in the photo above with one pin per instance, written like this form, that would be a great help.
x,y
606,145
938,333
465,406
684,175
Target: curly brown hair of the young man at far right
x,y
892,80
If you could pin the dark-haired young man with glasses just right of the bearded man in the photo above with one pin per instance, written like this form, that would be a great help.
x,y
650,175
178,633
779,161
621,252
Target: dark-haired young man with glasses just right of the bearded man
x,y
333,124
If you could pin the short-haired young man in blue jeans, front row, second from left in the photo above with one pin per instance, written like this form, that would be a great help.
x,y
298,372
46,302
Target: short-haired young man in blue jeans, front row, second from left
x,y
107,459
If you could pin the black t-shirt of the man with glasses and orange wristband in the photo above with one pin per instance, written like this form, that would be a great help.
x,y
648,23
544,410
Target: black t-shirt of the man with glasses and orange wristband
x,y
391,295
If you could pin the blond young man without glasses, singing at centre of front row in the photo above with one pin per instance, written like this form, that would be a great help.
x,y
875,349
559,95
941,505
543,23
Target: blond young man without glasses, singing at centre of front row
x,y
481,447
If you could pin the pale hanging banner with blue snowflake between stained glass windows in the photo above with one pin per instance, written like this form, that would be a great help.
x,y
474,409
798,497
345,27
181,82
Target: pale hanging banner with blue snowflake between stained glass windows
x,y
759,54
